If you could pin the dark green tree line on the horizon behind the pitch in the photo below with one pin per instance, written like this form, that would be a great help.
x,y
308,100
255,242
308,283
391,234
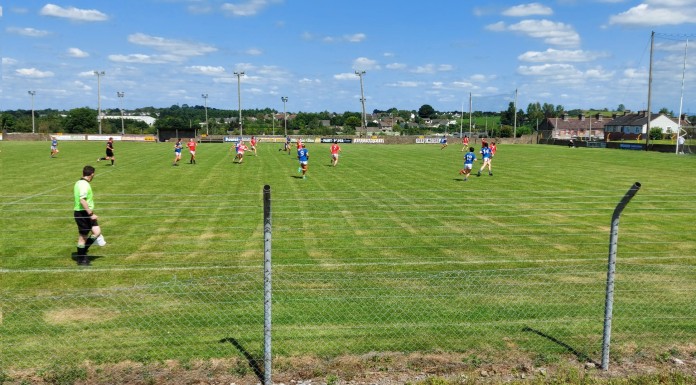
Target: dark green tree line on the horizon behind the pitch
x,y
269,121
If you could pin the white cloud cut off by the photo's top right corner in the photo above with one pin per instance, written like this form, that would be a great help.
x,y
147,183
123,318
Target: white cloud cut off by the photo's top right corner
x,y
657,12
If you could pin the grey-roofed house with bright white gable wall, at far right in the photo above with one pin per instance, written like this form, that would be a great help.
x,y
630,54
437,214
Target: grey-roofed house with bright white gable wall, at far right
x,y
631,125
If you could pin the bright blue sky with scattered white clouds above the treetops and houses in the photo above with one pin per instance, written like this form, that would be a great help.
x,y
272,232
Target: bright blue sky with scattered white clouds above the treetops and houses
x,y
450,54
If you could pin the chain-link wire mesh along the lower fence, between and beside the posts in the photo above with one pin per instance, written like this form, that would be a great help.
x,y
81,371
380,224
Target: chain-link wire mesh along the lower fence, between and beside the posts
x,y
345,310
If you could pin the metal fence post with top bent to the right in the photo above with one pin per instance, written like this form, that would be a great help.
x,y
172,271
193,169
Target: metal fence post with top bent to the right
x,y
611,270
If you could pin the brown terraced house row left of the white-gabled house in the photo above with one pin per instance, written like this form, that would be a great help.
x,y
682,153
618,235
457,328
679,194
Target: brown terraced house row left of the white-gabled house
x,y
565,127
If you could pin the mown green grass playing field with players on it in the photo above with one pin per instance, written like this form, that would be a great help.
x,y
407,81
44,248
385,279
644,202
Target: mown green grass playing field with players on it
x,y
389,251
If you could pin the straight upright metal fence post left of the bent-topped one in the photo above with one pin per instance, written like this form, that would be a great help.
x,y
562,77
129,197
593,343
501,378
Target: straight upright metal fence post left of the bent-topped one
x,y
267,285
